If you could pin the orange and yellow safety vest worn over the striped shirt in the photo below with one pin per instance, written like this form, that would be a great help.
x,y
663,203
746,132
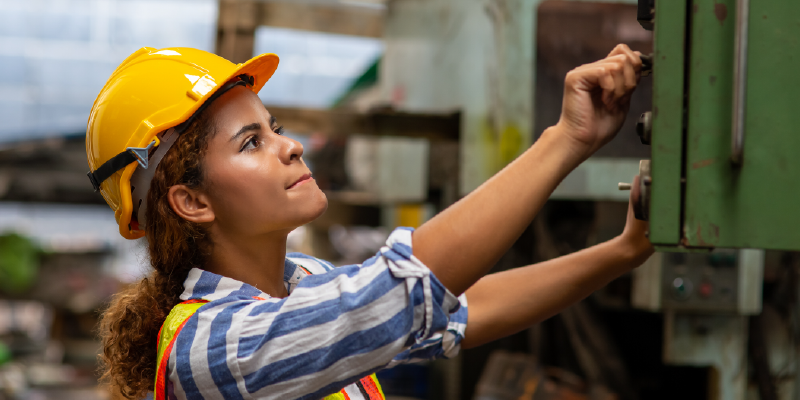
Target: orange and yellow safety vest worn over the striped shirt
x,y
177,319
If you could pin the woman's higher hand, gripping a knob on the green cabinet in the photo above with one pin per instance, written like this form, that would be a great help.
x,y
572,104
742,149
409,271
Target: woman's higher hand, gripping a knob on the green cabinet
x,y
597,98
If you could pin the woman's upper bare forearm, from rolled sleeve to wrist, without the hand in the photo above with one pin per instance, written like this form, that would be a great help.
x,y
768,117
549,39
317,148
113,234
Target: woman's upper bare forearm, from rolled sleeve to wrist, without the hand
x,y
462,243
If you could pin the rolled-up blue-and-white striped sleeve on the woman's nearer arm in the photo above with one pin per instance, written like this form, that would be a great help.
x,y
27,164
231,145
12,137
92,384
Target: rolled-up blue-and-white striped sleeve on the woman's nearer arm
x,y
337,327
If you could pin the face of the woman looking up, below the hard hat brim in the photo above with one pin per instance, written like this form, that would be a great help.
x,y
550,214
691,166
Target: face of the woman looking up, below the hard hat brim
x,y
255,179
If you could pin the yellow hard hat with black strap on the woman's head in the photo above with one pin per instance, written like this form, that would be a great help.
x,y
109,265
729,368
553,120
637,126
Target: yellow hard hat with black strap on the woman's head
x,y
149,93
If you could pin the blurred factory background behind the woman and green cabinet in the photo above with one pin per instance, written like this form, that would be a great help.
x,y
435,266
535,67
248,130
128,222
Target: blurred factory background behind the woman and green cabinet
x,y
403,106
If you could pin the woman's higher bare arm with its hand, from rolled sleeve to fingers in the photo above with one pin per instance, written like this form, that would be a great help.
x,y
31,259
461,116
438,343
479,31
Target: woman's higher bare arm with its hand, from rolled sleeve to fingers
x,y
462,243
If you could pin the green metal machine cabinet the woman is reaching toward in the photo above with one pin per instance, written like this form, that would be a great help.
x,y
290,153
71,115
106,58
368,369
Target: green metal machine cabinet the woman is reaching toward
x,y
725,163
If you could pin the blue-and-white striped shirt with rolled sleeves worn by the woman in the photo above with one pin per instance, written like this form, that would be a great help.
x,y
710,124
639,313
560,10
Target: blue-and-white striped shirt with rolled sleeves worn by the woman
x,y
336,326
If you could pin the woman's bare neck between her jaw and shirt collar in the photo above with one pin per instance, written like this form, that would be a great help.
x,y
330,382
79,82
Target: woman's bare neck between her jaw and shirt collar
x,y
257,261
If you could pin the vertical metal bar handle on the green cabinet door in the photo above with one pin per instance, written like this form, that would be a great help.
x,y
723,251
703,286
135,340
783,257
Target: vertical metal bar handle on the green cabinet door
x,y
739,81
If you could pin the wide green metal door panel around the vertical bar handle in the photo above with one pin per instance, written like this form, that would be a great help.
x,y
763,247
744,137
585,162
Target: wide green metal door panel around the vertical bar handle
x,y
755,205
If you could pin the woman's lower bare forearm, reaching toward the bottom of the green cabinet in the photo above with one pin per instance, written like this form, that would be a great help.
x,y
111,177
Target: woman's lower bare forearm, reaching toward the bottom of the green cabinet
x,y
504,303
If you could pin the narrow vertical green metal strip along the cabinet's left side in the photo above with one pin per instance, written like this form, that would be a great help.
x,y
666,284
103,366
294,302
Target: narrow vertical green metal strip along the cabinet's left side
x,y
668,99
